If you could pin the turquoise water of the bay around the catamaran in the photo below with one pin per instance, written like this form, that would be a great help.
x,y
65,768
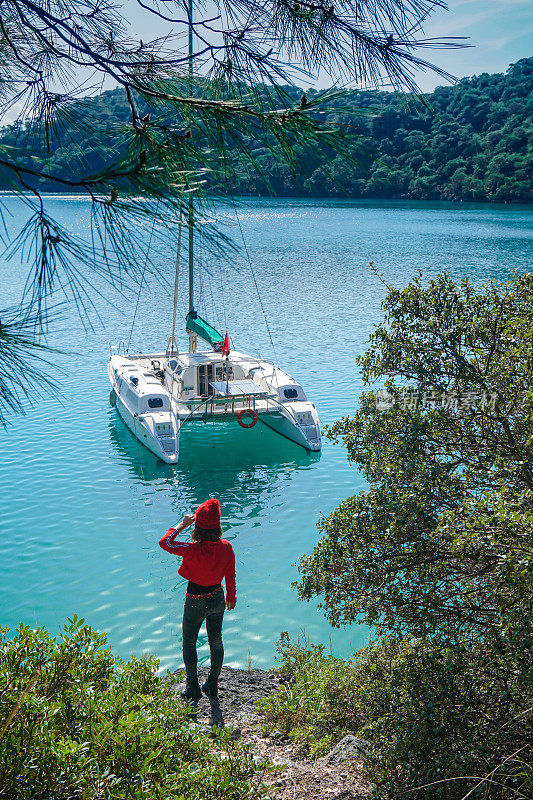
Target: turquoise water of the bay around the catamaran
x,y
83,504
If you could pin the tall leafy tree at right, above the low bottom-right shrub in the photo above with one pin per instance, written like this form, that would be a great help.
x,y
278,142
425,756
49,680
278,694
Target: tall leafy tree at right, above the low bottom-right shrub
x,y
448,463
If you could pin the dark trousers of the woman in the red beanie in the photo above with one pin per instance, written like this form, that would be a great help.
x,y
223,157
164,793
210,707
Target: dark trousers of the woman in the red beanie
x,y
196,610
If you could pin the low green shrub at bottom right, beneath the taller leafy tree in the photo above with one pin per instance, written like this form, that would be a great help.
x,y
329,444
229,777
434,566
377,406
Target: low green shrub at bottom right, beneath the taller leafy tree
x,y
423,710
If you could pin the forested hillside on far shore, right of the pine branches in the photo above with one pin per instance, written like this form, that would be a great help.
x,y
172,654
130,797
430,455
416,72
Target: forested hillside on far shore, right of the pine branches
x,y
473,141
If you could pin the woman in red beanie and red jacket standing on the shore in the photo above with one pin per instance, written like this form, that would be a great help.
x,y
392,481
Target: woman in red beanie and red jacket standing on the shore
x,y
207,559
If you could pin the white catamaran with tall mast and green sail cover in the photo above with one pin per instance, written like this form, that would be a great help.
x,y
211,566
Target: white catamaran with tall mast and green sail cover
x,y
156,394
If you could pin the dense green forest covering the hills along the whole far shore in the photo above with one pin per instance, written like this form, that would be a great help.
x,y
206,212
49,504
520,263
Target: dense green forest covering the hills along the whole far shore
x,y
471,141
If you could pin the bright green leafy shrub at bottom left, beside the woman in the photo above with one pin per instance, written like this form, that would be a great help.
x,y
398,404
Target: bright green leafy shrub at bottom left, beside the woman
x,y
79,722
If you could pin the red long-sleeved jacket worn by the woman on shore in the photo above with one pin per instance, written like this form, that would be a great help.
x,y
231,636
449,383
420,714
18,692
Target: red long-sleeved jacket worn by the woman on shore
x,y
205,563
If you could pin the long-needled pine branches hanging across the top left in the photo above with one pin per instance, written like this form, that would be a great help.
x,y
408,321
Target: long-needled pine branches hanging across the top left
x,y
181,125
